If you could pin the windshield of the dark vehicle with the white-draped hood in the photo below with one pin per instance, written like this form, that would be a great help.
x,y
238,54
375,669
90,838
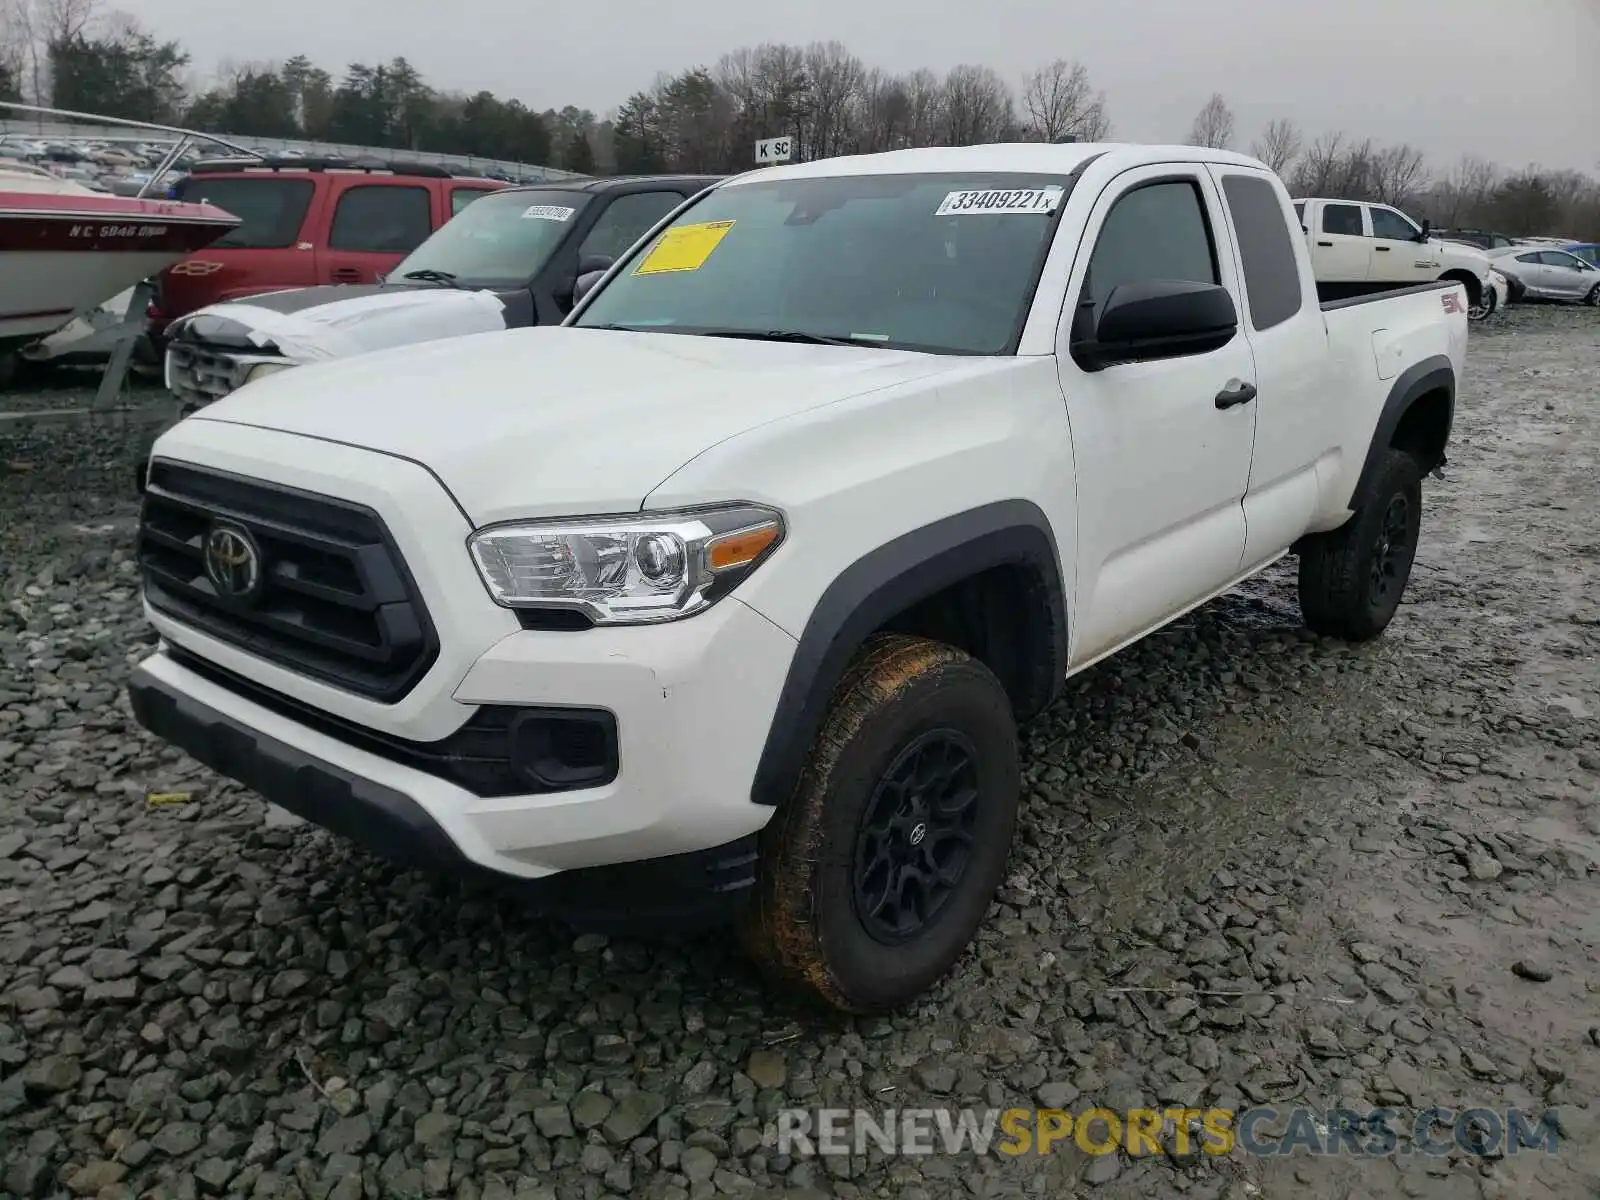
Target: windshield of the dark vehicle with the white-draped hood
x,y
502,239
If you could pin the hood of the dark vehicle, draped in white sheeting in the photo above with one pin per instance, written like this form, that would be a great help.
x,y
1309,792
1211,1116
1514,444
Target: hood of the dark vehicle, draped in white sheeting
x,y
311,326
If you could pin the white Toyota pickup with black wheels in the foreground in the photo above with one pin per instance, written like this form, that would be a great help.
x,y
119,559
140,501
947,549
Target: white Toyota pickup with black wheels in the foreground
x,y
730,593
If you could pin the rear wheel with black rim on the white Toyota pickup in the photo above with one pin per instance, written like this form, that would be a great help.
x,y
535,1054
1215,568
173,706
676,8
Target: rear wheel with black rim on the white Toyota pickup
x,y
1351,580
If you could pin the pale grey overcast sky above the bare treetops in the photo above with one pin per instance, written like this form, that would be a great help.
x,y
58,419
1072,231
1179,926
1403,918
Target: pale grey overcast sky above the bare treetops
x,y
1514,81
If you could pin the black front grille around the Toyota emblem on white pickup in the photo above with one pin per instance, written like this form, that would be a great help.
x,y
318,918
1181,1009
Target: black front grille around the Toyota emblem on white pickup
x,y
335,601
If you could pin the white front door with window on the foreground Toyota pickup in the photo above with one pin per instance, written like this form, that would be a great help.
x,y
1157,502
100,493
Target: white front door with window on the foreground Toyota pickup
x,y
1161,470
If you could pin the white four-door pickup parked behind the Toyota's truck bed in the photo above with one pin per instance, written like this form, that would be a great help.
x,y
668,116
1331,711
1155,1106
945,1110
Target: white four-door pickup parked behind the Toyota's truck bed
x,y
1358,249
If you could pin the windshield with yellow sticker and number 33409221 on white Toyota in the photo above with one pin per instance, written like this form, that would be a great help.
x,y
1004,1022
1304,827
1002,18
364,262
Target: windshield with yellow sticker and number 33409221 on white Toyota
x,y
942,263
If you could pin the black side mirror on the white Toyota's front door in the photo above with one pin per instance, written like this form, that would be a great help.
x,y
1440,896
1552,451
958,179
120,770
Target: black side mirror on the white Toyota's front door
x,y
1159,319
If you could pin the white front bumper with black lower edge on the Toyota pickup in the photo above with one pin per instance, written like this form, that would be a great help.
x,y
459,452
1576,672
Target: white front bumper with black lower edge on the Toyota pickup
x,y
692,705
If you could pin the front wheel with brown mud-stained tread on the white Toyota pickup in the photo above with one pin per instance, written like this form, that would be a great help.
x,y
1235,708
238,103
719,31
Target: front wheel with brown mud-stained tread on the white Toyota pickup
x,y
879,871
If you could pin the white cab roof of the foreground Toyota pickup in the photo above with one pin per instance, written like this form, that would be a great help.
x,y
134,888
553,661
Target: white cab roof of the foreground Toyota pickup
x,y
1023,158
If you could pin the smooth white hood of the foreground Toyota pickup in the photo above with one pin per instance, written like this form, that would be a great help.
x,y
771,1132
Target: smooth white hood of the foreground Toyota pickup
x,y
562,422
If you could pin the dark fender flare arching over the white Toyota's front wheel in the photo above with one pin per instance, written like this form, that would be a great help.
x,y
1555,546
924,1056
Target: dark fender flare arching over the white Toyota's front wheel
x,y
889,582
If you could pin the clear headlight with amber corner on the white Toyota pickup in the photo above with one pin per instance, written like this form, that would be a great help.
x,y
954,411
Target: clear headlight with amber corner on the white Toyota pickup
x,y
626,570
